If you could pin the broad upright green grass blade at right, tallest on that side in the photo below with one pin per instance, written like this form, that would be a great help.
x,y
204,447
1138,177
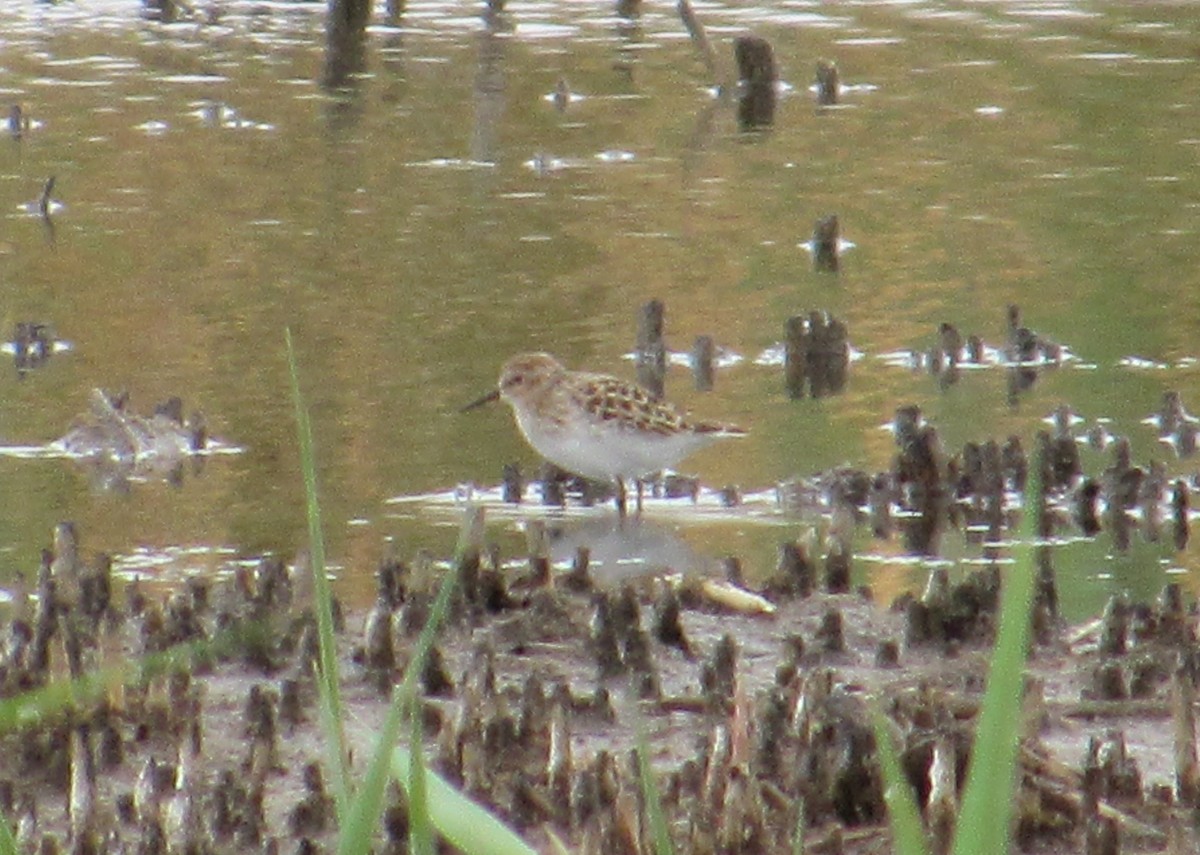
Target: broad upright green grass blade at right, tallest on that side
x,y
985,823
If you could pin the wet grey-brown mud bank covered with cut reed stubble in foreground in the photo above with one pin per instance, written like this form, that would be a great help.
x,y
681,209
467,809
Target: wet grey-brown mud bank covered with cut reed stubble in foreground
x,y
752,704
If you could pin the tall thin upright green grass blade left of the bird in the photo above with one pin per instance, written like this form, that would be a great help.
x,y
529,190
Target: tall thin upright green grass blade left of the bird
x,y
328,677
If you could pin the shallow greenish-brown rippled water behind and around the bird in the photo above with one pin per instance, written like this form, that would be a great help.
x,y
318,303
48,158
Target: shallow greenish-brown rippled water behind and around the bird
x,y
439,214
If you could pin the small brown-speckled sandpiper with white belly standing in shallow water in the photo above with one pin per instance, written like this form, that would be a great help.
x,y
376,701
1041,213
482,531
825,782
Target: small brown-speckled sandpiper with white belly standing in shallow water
x,y
595,426
